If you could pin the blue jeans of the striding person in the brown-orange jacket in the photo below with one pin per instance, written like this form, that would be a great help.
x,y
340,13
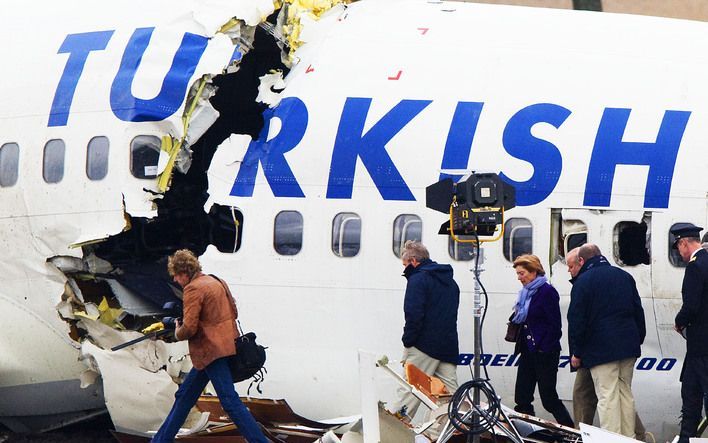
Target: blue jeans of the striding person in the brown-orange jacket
x,y
189,392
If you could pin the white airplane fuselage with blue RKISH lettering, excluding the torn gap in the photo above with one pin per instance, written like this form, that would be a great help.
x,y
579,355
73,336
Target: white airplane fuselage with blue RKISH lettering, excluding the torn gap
x,y
382,98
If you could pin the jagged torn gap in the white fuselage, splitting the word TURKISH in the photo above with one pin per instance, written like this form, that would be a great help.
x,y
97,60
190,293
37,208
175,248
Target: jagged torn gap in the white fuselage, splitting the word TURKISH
x,y
97,307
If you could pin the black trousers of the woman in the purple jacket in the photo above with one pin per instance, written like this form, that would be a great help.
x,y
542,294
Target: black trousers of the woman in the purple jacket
x,y
540,368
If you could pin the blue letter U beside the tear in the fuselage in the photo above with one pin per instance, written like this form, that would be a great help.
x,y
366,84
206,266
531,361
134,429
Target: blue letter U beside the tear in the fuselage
x,y
129,108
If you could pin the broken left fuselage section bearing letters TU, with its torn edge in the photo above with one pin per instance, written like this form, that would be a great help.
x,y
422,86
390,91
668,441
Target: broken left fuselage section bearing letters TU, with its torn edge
x,y
86,266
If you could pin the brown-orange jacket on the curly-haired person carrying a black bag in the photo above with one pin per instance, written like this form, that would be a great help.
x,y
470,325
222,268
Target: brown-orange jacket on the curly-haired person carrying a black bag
x,y
209,321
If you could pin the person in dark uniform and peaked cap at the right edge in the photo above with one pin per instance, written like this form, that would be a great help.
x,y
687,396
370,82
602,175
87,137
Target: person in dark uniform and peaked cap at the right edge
x,y
692,323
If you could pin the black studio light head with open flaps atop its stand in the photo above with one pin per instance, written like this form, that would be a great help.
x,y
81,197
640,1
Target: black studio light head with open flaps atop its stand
x,y
476,204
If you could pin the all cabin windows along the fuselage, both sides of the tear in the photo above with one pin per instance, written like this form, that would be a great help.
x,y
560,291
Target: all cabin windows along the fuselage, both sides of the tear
x,y
630,249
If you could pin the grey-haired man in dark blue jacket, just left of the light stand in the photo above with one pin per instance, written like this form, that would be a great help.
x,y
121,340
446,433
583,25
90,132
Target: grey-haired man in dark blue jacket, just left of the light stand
x,y
430,307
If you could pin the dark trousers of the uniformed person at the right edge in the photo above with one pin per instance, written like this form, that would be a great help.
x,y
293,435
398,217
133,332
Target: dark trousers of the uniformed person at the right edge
x,y
694,386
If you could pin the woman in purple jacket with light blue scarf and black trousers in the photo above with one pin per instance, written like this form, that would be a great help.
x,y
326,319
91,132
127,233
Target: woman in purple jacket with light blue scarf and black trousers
x,y
537,309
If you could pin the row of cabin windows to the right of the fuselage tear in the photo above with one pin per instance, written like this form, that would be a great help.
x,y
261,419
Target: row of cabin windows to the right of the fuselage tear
x,y
630,249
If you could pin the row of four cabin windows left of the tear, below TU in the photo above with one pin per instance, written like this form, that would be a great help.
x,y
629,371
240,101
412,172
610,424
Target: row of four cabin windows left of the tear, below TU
x,y
144,155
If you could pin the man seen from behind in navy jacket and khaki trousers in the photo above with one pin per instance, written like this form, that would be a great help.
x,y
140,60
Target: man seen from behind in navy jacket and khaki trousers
x,y
606,329
